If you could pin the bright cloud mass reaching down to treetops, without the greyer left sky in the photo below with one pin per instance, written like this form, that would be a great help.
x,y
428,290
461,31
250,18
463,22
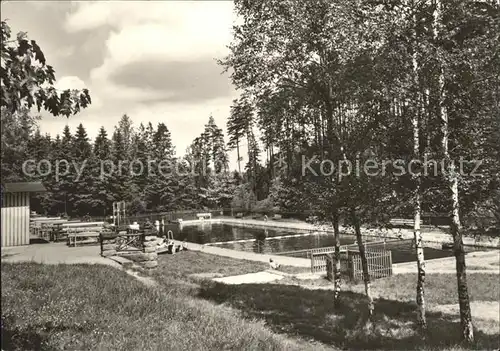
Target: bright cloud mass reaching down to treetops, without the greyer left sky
x,y
157,64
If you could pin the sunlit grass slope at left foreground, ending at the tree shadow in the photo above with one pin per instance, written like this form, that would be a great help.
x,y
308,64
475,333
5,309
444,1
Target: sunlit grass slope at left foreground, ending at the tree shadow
x,y
92,307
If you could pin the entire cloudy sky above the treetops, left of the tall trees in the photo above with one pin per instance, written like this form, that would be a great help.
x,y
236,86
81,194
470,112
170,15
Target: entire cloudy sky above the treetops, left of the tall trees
x,y
152,60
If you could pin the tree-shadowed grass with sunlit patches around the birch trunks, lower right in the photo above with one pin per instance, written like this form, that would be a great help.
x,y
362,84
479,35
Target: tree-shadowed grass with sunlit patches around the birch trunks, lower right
x,y
310,313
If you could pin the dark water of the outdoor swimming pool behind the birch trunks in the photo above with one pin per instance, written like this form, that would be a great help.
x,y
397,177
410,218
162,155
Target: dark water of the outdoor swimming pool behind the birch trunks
x,y
260,240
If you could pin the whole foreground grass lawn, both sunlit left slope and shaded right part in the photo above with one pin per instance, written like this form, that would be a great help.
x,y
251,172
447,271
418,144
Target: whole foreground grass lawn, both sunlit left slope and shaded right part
x,y
95,307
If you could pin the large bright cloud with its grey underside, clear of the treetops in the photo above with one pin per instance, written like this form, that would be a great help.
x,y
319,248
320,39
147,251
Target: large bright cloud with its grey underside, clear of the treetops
x,y
180,36
